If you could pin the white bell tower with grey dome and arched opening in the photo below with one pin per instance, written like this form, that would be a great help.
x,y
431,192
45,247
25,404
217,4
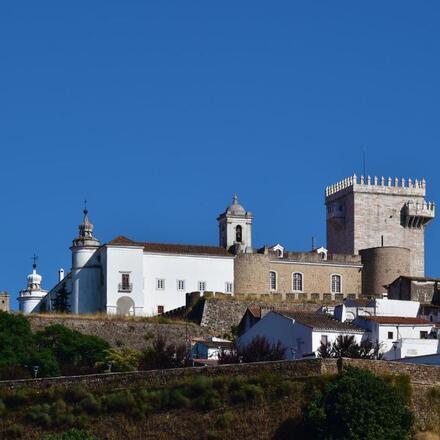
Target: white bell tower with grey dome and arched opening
x,y
235,228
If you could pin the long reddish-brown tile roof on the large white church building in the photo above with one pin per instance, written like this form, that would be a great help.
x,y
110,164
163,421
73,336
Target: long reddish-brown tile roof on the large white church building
x,y
171,248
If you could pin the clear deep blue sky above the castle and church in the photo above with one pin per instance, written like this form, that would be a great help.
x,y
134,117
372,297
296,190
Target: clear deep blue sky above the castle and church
x,y
157,111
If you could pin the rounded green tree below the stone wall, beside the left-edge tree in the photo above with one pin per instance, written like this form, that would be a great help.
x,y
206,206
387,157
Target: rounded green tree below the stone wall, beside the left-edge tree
x,y
75,353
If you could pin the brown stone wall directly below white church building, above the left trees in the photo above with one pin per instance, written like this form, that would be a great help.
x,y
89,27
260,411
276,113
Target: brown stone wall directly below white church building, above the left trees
x,y
132,333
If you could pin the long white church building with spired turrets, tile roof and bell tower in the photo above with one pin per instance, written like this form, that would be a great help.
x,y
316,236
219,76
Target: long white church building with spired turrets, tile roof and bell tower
x,y
129,277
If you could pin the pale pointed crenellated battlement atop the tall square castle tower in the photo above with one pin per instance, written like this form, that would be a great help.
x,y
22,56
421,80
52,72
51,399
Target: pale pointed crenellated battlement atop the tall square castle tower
x,y
416,186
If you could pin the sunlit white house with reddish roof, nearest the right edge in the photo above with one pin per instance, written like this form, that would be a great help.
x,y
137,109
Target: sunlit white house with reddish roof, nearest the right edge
x,y
400,336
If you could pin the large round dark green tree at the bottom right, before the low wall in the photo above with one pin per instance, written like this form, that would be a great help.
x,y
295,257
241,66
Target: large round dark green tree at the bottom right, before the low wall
x,y
357,405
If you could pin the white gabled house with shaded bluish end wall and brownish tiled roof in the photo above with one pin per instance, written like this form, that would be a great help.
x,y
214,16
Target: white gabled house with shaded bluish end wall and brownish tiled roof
x,y
300,332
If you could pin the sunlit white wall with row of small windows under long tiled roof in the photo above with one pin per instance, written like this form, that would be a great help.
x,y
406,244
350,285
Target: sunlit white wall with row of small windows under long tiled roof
x,y
214,270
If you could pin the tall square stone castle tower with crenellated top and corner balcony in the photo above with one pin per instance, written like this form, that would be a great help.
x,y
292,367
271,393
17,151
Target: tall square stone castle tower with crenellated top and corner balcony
x,y
366,213
